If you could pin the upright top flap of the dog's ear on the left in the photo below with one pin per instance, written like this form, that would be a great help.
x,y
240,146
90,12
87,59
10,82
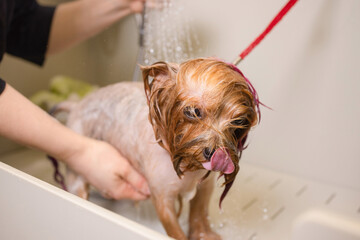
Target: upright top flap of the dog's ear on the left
x,y
158,75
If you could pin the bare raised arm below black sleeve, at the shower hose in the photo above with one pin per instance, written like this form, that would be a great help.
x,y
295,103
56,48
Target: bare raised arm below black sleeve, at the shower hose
x,y
79,20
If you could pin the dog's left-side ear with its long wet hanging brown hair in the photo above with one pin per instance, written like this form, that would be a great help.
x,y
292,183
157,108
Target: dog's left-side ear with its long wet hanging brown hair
x,y
159,82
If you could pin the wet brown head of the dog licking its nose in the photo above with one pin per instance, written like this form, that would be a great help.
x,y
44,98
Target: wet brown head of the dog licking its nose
x,y
201,112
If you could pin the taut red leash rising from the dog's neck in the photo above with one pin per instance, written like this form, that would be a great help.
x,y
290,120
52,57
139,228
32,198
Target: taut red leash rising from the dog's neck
x,y
272,24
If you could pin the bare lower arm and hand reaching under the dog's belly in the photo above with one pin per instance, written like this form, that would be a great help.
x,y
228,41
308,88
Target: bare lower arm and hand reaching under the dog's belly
x,y
97,161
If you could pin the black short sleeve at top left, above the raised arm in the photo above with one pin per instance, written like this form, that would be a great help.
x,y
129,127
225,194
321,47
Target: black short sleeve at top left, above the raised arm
x,y
29,31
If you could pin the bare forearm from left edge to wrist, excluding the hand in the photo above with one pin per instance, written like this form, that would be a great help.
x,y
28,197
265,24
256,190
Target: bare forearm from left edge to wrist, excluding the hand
x,y
27,124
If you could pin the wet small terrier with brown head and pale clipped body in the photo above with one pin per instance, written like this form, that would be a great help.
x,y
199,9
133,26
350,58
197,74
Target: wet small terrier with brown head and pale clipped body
x,y
193,120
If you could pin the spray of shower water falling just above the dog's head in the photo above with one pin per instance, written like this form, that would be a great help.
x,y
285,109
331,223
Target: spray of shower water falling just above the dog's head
x,y
168,33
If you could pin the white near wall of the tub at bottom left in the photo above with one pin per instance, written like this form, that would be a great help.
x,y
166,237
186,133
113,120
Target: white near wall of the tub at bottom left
x,y
33,209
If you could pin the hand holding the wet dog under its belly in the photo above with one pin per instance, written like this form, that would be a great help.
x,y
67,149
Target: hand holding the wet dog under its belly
x,y
109,172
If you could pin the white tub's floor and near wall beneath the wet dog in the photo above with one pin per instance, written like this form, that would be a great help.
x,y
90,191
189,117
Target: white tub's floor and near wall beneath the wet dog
x,y
263,204
